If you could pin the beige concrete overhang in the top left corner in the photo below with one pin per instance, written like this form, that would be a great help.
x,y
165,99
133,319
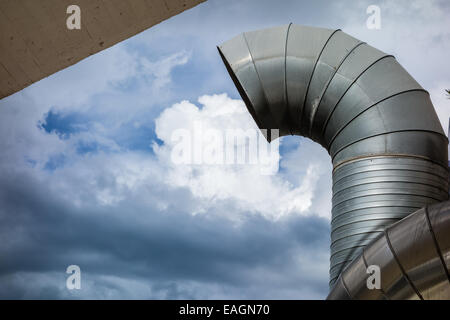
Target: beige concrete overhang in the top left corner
x,y
35,41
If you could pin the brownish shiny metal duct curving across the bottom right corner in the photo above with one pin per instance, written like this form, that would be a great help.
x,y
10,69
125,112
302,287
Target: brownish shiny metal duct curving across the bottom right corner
x,y
413,256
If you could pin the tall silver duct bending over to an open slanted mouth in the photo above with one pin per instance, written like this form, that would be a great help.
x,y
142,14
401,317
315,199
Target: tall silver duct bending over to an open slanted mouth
x,y
387,146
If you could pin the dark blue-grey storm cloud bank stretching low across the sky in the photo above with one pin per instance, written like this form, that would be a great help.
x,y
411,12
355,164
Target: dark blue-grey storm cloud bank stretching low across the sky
x,y
42,235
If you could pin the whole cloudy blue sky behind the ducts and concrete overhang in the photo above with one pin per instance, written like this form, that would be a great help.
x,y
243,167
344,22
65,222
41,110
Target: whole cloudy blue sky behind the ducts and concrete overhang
x,y
87,175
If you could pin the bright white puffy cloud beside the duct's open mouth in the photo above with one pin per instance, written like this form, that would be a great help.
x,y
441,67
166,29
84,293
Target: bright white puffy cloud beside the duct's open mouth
x,y
246,184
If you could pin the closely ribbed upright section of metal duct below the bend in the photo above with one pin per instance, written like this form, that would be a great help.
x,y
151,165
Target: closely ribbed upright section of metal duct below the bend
x,y
371,194
